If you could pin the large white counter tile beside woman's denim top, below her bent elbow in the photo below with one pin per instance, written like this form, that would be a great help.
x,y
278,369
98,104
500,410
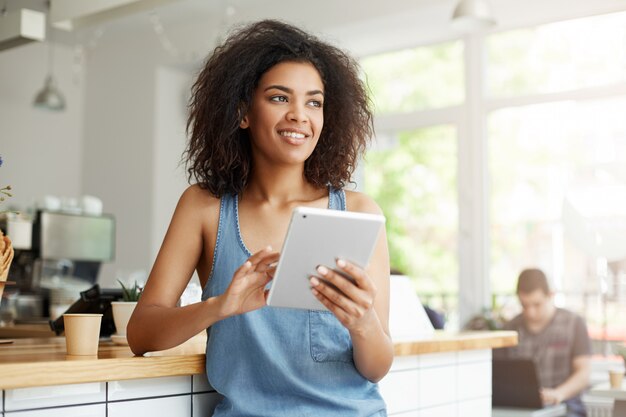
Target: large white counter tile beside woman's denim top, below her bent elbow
x,y
400,391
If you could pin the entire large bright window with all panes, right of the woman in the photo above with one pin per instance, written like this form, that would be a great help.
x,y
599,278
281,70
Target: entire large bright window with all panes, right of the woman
x,y
555,148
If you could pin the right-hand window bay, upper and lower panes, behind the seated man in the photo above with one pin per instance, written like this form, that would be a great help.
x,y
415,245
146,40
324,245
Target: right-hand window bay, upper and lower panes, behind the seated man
x,y
556,168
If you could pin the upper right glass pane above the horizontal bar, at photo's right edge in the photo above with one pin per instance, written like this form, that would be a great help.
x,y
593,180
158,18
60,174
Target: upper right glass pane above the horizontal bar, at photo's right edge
x,y
558,56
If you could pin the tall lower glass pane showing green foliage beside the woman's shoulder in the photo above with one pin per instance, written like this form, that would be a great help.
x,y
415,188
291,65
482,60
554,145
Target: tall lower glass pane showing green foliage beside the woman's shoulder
x,y
414,181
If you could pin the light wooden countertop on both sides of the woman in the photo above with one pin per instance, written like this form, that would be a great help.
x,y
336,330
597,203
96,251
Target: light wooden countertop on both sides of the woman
x,y
39,362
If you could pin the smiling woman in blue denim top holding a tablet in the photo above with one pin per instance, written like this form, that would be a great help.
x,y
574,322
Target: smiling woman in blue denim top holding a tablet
x,y
278,119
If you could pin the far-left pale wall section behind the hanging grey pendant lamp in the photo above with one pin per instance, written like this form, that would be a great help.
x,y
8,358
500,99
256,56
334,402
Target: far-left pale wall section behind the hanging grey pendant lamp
x,y
42,150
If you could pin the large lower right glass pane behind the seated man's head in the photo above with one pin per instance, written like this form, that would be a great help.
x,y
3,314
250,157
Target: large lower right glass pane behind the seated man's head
x,y
558,202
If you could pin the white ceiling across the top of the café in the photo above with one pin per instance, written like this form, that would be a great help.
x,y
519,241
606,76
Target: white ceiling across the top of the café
x,y
363,26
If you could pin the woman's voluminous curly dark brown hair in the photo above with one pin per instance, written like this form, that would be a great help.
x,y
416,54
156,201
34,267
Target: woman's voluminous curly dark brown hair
x,y
218,154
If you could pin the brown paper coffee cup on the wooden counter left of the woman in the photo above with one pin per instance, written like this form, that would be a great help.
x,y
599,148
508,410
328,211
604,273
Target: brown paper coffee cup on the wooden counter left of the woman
x,y
82,333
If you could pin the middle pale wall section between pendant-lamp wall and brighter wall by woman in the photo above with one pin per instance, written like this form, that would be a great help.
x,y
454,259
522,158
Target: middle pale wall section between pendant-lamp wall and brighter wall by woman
x,y
118,148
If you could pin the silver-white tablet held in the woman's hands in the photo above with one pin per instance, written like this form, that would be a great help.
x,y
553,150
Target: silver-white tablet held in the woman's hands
x,y
318,237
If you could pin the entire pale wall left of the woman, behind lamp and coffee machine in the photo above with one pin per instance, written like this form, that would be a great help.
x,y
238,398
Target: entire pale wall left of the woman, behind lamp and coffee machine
x,y
120,138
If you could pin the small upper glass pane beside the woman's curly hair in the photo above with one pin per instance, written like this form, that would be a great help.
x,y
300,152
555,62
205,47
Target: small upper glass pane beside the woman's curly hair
x,y
416,79
